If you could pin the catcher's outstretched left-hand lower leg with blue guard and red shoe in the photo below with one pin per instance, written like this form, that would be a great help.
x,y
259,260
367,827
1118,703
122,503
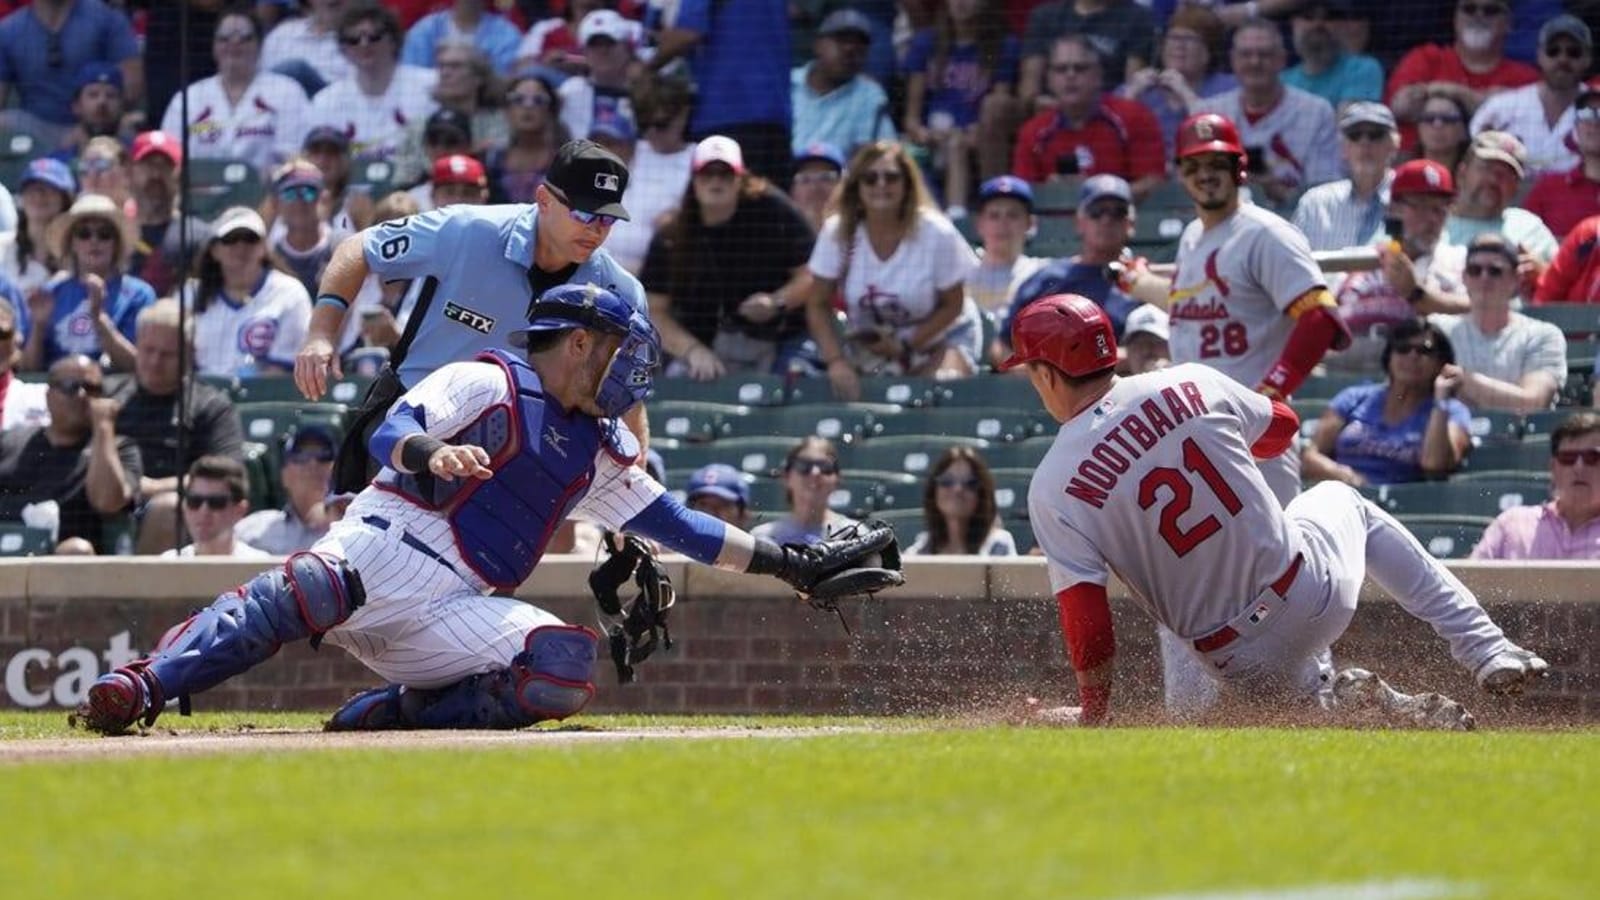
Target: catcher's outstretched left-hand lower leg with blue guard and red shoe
x,y
305,598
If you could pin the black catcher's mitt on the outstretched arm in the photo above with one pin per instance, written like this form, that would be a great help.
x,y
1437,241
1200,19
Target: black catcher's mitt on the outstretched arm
x,y
862,560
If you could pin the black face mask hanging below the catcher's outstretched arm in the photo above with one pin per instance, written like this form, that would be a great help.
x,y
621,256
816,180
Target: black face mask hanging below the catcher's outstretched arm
x,y
638,629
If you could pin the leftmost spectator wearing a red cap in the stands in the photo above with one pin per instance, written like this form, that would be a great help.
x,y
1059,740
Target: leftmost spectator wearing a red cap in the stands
x,y
161,255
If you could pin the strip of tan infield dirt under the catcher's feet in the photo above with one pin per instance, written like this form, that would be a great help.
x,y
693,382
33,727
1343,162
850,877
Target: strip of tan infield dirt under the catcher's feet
x,y
159,742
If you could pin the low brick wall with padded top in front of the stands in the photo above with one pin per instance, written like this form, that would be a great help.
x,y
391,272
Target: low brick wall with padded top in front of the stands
x,y
958,637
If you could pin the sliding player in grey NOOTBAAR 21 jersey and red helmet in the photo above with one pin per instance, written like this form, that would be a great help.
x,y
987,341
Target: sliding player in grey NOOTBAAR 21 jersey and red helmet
x,y
1154,478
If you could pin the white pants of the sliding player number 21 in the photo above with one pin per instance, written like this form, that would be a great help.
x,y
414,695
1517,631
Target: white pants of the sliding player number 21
x,y
1345,537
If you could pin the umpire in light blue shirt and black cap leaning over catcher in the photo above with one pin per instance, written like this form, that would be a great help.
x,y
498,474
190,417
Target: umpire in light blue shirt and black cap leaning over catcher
x,y
481,268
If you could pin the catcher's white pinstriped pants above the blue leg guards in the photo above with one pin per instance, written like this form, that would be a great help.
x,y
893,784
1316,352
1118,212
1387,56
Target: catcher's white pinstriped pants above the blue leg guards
x,y
423,625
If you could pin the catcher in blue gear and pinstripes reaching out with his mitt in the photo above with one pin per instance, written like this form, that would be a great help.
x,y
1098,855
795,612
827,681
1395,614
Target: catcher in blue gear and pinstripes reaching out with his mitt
x,y
481,462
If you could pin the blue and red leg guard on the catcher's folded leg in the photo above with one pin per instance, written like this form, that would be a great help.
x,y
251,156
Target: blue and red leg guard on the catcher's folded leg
x,y
550,680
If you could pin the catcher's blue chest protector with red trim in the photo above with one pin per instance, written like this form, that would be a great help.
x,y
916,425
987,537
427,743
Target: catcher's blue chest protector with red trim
x,y
543,462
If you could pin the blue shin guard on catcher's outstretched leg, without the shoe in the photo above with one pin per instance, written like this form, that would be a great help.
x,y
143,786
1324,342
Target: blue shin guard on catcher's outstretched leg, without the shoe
x,y
308,597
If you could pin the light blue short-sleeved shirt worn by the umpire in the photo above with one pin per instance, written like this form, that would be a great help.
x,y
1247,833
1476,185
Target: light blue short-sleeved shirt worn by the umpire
x,y
474,263
